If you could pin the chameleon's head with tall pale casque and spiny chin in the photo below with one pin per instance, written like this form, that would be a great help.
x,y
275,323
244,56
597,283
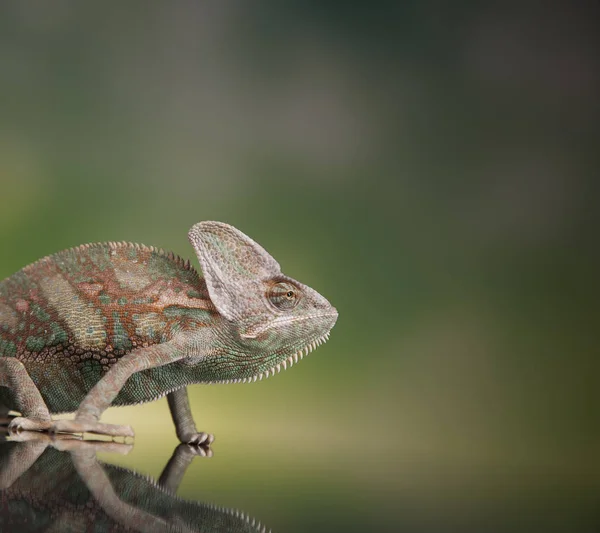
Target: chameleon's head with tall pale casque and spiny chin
x,y
274,320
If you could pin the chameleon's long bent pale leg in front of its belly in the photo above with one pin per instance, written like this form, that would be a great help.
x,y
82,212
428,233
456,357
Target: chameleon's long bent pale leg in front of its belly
x,y
105,391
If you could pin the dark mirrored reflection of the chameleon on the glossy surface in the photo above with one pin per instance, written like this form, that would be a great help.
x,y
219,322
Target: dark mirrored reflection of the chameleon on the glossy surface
x,y
60,485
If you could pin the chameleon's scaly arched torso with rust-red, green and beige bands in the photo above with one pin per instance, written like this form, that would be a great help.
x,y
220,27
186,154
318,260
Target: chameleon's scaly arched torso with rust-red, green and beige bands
x,y
70,316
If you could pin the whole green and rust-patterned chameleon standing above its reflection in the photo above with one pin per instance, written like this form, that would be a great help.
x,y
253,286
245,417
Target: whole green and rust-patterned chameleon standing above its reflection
x,y
120,324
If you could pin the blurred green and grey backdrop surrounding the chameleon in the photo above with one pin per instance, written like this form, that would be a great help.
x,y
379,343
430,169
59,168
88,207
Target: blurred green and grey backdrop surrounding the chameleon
x,y
430,167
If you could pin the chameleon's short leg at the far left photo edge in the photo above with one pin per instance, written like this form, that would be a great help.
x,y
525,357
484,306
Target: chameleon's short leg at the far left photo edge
x,y
28,400
